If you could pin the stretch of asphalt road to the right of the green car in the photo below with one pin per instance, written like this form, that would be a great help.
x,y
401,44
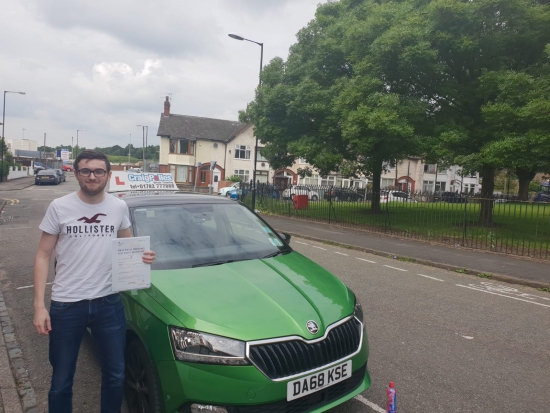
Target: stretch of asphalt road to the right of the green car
x,y
451,342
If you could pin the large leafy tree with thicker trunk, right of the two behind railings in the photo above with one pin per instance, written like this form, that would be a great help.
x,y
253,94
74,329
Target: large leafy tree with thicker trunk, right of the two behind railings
x,y
440,53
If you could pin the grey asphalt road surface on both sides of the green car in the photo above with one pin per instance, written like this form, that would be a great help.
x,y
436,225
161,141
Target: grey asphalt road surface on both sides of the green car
x,y
451,342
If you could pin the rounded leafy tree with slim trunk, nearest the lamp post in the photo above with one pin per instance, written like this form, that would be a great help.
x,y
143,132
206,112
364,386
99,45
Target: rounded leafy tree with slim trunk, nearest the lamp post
x,y
326,105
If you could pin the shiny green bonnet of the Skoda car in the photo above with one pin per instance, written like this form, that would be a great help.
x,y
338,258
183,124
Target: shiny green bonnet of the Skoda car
x,y
254,299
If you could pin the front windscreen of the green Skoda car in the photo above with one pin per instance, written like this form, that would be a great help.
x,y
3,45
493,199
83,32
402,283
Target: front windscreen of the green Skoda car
x,y
192,235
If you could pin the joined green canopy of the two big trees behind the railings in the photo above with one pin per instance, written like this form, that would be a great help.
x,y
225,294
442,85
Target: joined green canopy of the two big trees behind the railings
x,y
371,81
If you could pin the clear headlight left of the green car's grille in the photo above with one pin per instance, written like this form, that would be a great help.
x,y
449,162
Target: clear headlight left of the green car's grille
x,y
200,347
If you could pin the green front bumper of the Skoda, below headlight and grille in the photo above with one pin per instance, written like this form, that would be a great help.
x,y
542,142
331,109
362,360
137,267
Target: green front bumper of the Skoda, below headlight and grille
x,y
244,389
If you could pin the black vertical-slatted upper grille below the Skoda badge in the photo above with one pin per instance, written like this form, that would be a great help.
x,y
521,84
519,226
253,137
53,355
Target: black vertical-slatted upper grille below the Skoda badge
x,y
288,358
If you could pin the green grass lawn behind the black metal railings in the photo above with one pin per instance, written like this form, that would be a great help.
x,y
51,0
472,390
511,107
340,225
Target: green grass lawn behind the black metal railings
x,y
518,228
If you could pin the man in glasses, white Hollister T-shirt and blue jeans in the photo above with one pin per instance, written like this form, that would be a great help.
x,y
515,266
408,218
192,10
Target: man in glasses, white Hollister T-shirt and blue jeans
x,y
79,227
